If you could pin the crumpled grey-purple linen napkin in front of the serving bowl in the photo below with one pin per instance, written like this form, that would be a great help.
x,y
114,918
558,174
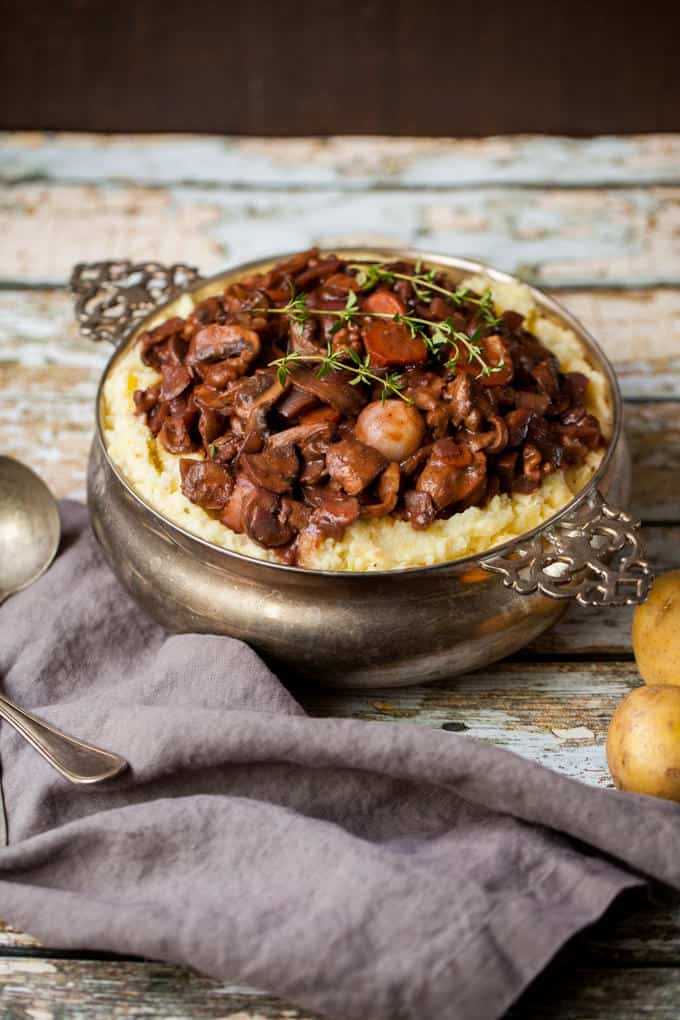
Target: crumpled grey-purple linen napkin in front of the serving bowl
x,y
358,869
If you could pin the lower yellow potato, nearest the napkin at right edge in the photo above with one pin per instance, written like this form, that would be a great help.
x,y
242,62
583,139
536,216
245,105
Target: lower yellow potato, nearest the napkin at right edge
x,y
644,742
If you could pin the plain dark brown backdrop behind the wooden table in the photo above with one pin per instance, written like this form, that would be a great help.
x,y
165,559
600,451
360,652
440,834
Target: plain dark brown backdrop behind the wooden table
x,y
311,67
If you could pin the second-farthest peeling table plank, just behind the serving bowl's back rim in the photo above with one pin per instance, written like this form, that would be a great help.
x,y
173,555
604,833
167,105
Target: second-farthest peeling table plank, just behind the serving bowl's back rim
x,y
553,237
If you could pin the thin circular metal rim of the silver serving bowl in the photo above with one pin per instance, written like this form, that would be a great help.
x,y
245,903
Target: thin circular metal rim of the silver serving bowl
x,y
469,267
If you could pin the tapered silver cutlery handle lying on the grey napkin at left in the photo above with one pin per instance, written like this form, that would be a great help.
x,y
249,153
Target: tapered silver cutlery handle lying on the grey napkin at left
x,y
78,761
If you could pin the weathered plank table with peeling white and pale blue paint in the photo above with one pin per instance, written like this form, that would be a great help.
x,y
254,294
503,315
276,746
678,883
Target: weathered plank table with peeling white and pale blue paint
x,y
597,221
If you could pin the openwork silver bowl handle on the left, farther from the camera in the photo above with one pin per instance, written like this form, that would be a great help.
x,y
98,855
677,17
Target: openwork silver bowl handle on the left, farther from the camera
x,y
114,297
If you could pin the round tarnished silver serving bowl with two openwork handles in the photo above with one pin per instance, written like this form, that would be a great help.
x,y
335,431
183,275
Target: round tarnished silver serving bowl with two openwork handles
x,y
353,630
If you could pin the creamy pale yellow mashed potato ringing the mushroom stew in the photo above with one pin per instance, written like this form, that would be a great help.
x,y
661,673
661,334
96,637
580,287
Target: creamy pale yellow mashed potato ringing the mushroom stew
x,y
371,544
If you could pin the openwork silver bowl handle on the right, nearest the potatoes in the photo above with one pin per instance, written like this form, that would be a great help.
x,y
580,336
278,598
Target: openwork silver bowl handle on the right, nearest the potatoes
x,y
594,555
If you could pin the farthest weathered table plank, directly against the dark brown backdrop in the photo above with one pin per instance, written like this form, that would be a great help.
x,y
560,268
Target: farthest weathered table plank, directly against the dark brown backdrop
x,y
343,163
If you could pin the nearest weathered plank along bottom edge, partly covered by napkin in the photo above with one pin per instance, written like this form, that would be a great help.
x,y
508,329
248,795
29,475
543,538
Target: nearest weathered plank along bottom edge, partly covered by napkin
x,y
53,989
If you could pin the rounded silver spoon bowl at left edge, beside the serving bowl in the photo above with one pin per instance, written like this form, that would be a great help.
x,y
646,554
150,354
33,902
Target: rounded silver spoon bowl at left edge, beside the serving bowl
x,y
30,527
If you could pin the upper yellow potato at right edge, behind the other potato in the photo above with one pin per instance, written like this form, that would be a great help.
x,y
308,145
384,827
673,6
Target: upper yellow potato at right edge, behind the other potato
x,y
657,632
